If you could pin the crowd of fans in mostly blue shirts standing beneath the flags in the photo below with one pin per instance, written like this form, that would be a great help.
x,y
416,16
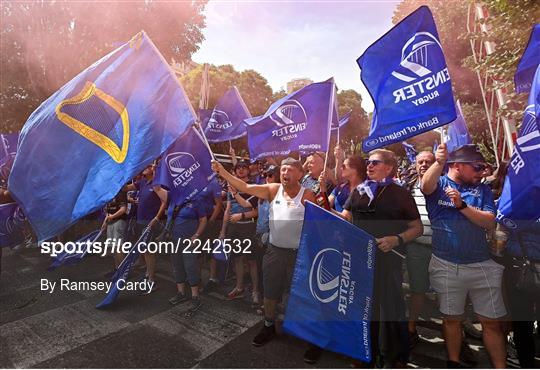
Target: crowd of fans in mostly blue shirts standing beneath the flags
x,y
436,217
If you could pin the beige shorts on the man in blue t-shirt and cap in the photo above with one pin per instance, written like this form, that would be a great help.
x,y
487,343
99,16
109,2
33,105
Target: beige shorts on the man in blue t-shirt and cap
x,y
481,281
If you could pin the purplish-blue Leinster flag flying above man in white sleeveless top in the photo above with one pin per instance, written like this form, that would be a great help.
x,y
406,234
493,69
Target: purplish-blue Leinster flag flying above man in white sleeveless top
x,y
299,121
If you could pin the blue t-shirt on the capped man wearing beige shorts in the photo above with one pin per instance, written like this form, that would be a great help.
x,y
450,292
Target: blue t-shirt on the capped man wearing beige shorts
x,y
456,239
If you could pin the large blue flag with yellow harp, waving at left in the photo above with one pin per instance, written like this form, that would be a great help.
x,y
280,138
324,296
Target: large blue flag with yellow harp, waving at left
x,y
95,133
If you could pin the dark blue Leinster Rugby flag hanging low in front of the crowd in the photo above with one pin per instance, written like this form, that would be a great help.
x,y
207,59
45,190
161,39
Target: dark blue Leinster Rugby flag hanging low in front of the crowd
x,y
330,300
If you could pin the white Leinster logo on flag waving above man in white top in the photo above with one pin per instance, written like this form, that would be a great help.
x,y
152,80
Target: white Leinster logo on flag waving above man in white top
x,y
291,118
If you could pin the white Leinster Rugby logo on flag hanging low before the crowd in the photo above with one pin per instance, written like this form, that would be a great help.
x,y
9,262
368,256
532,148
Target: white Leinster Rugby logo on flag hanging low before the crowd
x,y
330,278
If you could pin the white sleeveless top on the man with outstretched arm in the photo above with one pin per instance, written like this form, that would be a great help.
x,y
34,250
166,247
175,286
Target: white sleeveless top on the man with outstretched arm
x,y
286,219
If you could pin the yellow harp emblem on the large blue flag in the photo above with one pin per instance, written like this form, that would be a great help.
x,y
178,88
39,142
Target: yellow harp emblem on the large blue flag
x,y
117,154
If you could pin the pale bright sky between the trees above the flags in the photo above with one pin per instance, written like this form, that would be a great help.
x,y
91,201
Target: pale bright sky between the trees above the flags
x,y
283,40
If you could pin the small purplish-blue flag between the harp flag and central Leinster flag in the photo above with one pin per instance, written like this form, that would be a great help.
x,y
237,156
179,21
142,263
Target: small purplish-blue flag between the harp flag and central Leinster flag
x,y
227,119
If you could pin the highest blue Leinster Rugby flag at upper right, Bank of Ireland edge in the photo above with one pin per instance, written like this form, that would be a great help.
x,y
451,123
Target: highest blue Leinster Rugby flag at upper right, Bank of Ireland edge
x,y
407,77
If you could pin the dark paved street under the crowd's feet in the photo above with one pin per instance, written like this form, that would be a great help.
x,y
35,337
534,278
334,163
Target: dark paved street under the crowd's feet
x,y
64,330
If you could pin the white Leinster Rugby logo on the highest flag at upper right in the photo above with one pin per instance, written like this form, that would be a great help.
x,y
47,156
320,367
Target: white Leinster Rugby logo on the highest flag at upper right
x,y
423,66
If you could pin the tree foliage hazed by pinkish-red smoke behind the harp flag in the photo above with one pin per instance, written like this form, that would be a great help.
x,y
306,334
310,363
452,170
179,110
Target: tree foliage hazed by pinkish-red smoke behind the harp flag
x,y
45,44
